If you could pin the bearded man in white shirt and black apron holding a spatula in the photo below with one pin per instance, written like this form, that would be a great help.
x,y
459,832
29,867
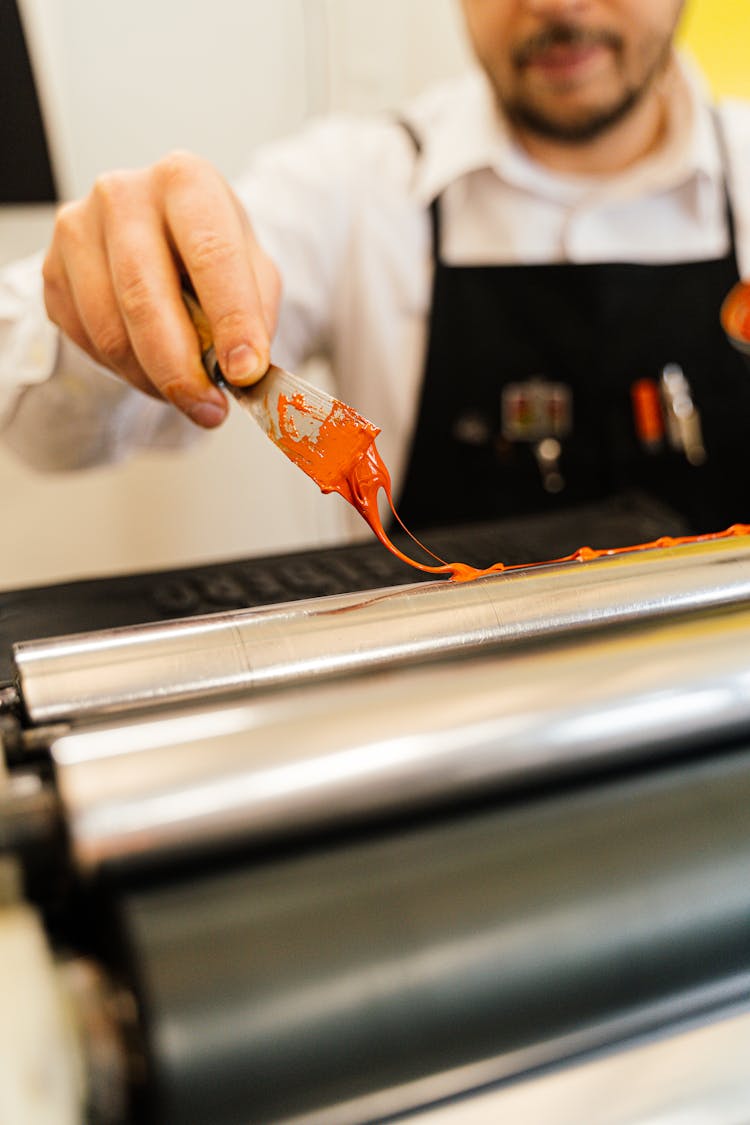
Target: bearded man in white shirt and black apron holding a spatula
x,y
520,284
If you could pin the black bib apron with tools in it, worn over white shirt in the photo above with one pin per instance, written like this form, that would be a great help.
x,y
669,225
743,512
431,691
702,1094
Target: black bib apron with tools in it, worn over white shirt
x,y
597,330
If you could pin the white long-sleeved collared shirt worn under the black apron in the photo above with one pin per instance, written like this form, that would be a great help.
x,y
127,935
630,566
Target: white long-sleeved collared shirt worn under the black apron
x,y
344,211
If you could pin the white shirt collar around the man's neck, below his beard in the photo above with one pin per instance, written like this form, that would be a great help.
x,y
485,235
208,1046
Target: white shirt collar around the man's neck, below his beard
x,y
464,131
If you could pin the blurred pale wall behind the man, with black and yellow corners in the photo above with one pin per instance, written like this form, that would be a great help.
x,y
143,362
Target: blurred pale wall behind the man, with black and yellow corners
x,y
121,85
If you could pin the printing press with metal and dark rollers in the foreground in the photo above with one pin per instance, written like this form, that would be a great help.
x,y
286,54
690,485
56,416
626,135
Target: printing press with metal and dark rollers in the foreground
x,y
305,840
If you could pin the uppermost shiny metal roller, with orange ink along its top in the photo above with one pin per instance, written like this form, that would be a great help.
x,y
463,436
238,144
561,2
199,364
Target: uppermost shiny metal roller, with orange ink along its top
x,y
106,673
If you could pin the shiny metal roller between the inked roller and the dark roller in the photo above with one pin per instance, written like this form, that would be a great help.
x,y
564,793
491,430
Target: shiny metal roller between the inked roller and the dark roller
x,y
170,787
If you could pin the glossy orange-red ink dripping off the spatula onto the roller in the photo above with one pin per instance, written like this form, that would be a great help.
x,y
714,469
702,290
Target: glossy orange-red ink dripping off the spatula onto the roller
x,y
340,455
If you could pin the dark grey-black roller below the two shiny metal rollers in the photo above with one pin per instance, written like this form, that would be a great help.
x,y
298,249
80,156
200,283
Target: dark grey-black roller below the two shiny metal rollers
x,y
300,984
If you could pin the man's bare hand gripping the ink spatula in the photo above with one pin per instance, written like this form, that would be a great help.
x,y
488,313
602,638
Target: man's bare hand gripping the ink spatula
x,y
113,282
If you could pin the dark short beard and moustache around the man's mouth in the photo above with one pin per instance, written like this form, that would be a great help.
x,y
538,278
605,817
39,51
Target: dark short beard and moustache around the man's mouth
x,y
540,116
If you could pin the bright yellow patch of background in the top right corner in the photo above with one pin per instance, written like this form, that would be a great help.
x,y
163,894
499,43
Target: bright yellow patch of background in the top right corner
x,y
718,34
